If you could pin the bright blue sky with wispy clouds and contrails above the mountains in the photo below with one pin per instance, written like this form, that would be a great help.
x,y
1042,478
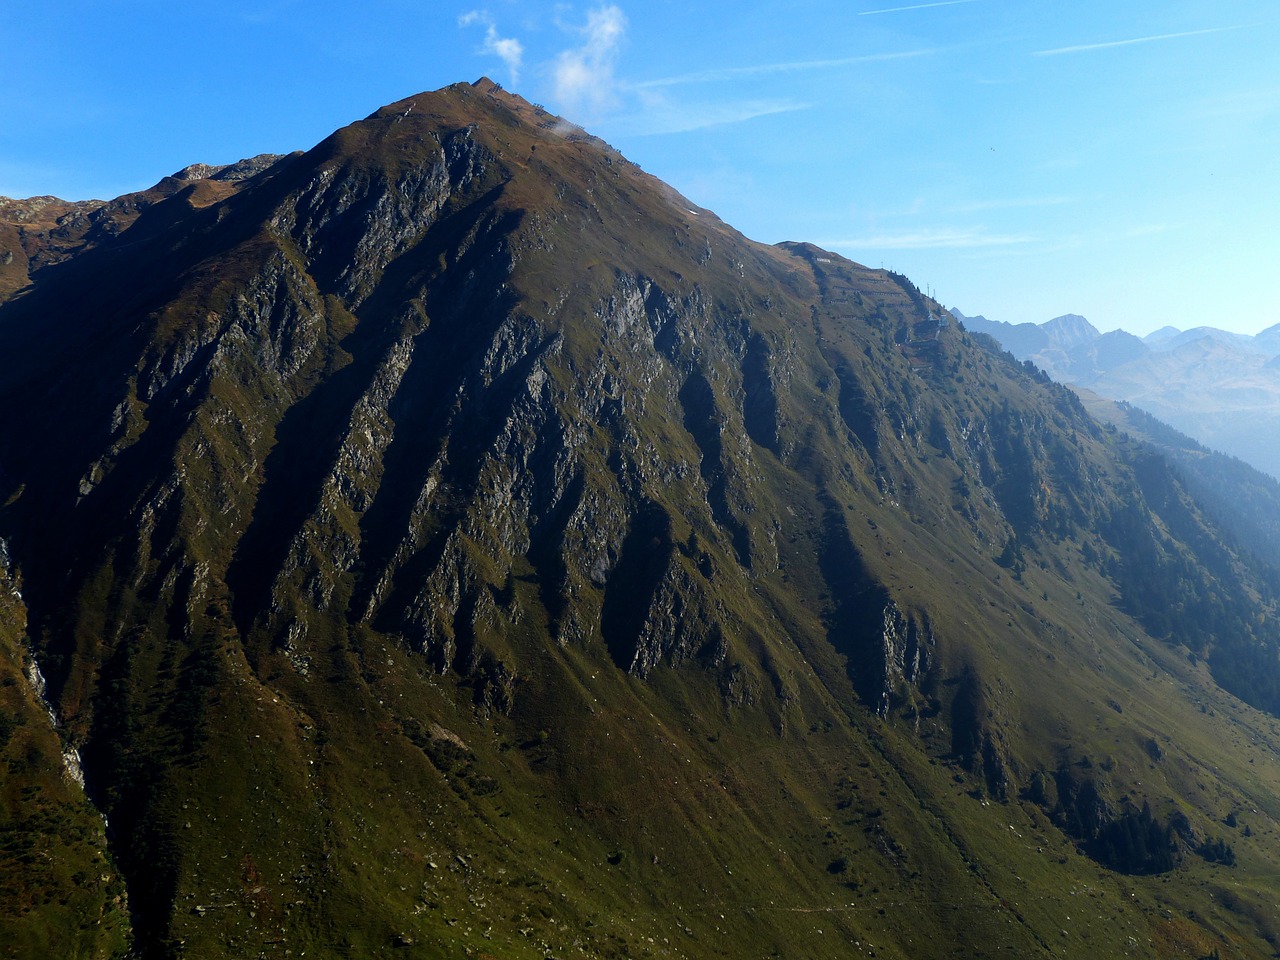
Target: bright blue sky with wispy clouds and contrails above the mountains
x,y
1020,159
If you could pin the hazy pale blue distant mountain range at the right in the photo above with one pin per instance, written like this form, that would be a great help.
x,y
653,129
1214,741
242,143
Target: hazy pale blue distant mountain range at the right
x,y
1219,387
